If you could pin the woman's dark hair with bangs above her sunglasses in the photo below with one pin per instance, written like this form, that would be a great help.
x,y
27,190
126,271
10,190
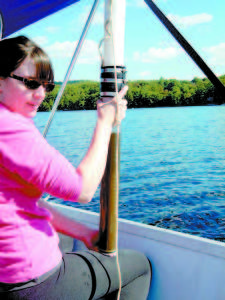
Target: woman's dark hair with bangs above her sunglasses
x,y
13,51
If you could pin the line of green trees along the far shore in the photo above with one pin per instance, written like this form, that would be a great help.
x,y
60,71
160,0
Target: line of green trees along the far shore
x,y
80,95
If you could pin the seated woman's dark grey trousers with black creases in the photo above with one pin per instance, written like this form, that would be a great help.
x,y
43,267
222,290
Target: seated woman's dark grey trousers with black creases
x,y
86,275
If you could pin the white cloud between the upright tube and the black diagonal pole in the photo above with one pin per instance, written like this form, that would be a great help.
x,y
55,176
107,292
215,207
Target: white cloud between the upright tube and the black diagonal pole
x,y
153,55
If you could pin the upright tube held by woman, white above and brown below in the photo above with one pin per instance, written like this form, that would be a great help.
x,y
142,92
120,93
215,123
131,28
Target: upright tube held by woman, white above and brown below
x,y
112,81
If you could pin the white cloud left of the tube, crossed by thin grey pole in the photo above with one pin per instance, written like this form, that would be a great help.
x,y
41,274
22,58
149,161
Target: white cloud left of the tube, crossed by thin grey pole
x,y
88,55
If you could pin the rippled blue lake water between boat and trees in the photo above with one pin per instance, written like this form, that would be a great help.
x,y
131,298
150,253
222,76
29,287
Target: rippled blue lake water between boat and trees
x,y
172,172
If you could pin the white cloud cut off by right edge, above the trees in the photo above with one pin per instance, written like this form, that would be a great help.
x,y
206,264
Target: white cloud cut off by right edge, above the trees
x,y
217,54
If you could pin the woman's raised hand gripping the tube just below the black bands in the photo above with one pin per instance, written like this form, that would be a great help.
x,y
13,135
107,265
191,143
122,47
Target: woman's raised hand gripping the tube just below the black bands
x,y
113,110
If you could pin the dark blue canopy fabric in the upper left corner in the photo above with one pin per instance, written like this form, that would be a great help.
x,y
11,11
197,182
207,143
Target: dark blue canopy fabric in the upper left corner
x,y
17,14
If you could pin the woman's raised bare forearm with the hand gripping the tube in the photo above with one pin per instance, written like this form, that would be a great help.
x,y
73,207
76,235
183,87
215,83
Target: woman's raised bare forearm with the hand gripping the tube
x,y
92,166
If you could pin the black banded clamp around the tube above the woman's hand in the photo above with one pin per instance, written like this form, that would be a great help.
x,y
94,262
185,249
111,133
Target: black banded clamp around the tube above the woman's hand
x,y
110,76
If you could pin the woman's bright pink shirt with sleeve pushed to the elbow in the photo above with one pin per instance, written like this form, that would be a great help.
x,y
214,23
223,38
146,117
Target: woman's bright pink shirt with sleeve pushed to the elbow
x,y
29,166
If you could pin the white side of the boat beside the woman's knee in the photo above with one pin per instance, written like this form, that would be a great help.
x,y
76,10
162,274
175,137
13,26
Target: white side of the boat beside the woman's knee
x,y
184,267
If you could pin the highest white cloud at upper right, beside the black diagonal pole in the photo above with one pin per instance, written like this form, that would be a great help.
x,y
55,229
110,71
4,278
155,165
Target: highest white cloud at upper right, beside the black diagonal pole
x,y
190,20
